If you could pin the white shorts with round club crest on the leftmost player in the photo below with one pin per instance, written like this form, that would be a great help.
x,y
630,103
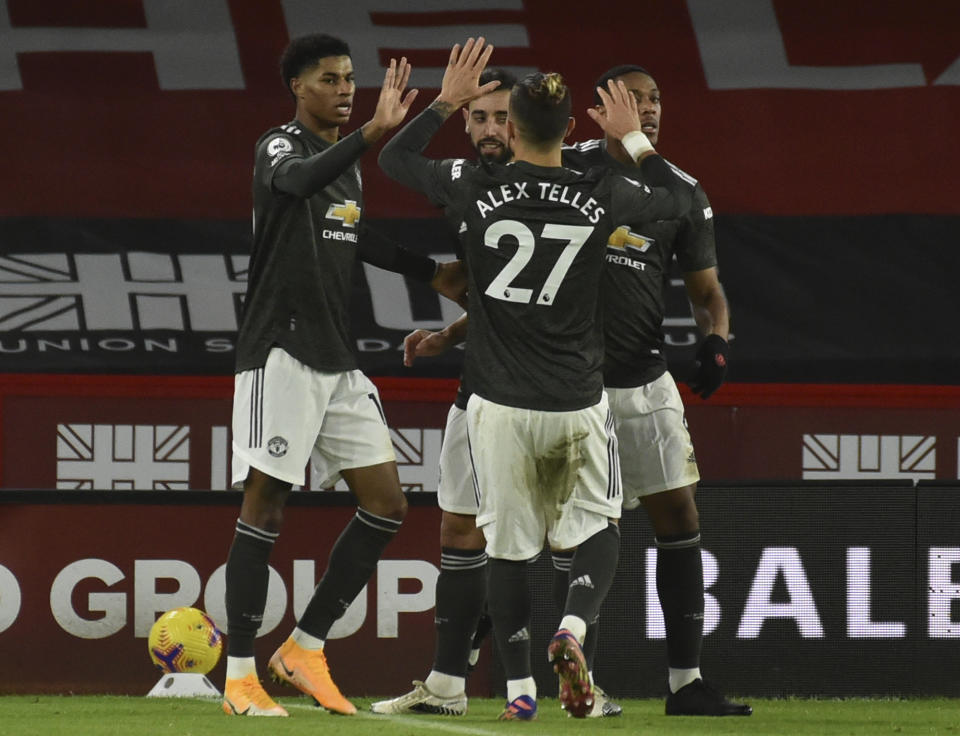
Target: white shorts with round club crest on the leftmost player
x,y
287,413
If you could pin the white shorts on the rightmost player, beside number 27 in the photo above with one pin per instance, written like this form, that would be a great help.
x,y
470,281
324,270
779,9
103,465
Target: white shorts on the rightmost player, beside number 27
x,y
656,453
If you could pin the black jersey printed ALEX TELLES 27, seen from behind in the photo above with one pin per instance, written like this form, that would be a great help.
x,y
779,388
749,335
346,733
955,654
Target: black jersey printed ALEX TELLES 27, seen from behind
x,y
534,240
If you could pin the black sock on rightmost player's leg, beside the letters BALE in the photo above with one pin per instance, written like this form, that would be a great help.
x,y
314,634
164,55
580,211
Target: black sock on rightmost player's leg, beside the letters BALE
x,y
680,587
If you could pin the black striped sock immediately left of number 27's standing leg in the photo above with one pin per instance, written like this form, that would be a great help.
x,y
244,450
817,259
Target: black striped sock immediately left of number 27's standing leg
x,y
461,590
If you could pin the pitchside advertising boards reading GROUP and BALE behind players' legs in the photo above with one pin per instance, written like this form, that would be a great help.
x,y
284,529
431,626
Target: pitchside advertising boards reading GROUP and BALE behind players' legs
x,y
825,588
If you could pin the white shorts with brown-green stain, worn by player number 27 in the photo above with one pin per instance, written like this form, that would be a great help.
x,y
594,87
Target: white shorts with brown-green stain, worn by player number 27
x,y
542,474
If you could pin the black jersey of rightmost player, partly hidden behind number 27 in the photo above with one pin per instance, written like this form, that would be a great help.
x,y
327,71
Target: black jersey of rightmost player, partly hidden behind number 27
x,y
637,266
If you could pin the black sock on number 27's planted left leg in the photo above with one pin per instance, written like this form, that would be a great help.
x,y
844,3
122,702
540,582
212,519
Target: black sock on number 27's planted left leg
x,y
508,600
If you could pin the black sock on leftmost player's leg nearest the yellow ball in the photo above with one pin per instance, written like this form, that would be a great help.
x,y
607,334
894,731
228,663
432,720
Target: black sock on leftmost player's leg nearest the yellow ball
x,y
247,576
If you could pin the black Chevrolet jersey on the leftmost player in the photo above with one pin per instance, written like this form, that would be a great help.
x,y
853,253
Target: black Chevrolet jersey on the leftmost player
x,y
304,248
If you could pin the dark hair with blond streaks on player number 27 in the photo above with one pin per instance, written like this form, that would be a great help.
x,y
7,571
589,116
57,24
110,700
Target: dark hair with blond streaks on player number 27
x,y
540,107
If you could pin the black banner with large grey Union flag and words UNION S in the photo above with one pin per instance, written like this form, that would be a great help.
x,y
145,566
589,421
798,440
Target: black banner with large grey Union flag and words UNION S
x,y
816,299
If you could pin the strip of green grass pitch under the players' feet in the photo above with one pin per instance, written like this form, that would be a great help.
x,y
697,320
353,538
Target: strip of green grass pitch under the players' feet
x,y
48,715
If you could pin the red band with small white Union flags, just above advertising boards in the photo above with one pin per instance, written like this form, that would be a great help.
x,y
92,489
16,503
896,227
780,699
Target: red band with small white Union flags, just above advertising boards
x,y
166,432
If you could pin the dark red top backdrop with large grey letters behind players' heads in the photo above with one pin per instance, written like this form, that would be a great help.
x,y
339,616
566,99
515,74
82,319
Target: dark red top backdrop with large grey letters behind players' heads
x,y
137,108
